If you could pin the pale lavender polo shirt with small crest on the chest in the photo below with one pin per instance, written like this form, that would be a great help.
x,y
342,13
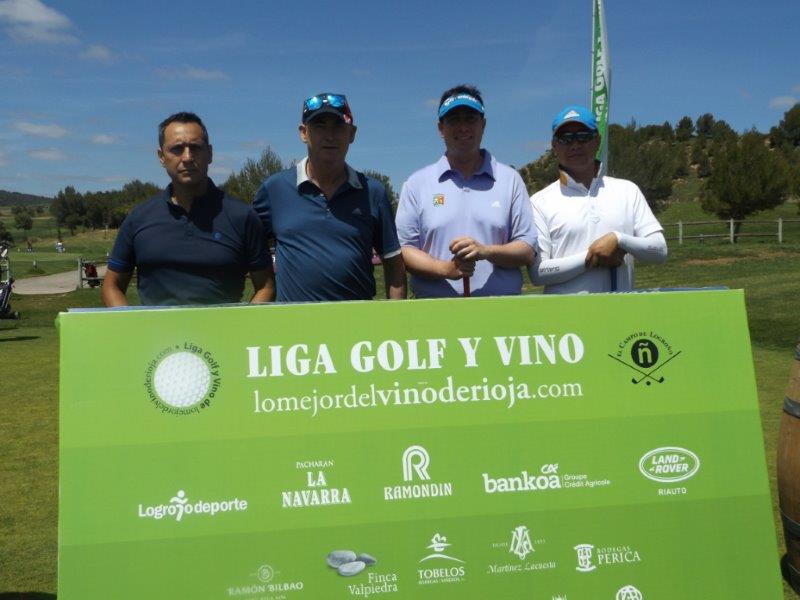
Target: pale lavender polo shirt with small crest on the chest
x,y
438,205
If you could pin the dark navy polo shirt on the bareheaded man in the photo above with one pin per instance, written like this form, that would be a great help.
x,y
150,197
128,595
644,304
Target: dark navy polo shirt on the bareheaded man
x,y
199,257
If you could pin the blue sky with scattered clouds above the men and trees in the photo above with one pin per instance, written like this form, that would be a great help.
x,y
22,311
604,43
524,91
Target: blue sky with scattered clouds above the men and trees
x,y
85,82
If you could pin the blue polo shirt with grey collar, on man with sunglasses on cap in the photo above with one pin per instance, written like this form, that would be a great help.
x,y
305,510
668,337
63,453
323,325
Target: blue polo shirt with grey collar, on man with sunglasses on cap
x,y
323,247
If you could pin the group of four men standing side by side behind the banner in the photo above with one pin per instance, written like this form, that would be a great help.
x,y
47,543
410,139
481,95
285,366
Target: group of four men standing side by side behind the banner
x,y
464,224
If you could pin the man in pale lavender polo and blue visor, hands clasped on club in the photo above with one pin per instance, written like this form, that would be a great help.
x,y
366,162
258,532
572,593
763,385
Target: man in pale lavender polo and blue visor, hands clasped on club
x,y
464,222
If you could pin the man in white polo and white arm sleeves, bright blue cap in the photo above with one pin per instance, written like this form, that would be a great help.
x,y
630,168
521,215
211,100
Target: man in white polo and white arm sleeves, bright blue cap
x,y
590,227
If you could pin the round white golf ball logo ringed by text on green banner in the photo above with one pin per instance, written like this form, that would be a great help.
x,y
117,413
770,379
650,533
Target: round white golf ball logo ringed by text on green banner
x,y
182,379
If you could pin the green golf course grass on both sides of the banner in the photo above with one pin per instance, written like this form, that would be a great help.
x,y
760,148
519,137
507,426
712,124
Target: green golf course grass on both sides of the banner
x,y
29,426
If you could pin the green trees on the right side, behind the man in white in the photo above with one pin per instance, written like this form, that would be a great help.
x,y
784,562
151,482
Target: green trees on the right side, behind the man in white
x,y
741,174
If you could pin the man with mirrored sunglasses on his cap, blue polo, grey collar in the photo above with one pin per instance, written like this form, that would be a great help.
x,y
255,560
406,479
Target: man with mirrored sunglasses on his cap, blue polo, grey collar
x,y
326,217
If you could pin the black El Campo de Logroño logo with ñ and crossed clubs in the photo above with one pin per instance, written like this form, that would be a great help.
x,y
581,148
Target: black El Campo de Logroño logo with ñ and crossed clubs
x,y
645,353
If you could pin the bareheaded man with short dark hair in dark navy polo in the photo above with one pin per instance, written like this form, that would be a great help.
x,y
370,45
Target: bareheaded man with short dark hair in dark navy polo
x,y
191,244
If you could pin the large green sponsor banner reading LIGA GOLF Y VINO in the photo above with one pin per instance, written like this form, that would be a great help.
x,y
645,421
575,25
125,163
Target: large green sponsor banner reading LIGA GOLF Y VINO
x,y
576,447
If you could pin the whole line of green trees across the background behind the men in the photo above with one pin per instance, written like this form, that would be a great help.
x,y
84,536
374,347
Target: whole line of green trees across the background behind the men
x,y
741,174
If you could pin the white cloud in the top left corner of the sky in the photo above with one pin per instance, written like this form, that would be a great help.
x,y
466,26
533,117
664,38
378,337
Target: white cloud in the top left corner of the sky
x,y
33,21
